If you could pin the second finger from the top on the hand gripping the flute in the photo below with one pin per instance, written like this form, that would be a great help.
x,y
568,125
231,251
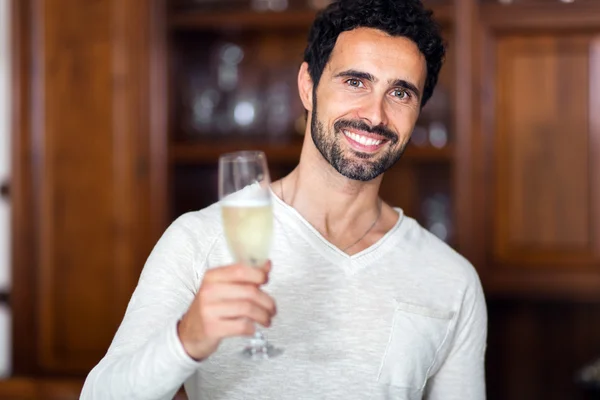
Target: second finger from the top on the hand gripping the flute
x,y
218,292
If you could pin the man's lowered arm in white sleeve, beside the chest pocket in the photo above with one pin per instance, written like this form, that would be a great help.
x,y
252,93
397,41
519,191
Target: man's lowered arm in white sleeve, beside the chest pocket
x,y
462,375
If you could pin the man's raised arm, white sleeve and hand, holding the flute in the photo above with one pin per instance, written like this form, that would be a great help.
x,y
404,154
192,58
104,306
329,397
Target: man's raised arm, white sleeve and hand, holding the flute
x,y
152,355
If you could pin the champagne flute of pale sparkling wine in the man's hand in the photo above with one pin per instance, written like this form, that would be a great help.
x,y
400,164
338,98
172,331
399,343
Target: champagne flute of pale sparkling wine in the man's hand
x,y
244,191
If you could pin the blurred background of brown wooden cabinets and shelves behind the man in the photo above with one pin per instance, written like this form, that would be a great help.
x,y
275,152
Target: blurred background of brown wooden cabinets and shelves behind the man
x,y
113,114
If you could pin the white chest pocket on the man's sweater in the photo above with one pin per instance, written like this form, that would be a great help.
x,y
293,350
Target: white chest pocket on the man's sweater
x,y
418,334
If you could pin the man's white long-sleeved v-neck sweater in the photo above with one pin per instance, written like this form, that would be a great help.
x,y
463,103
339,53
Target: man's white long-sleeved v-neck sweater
x,y
403,319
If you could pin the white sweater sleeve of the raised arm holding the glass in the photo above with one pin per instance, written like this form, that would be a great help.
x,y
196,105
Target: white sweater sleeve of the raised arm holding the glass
x,y
146,359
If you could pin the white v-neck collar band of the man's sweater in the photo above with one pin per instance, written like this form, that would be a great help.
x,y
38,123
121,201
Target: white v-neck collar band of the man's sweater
x,y
292,219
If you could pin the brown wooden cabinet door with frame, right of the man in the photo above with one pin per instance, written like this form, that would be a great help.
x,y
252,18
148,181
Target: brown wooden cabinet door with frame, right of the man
x,y
538,193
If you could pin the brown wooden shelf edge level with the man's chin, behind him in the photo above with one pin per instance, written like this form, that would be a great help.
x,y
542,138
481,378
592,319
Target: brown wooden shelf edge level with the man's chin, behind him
x,y
208,152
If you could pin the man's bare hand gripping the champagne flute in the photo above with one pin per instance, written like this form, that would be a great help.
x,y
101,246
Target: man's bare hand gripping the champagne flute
x,y
228,304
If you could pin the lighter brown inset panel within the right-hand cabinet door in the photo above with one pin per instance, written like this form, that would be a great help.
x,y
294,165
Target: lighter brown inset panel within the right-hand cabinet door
x,y
544,158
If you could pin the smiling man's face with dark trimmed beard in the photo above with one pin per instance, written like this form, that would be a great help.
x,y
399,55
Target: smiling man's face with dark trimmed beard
x,y
367,102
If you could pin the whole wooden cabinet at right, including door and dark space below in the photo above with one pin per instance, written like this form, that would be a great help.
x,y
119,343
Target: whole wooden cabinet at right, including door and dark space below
x,y
533,193
